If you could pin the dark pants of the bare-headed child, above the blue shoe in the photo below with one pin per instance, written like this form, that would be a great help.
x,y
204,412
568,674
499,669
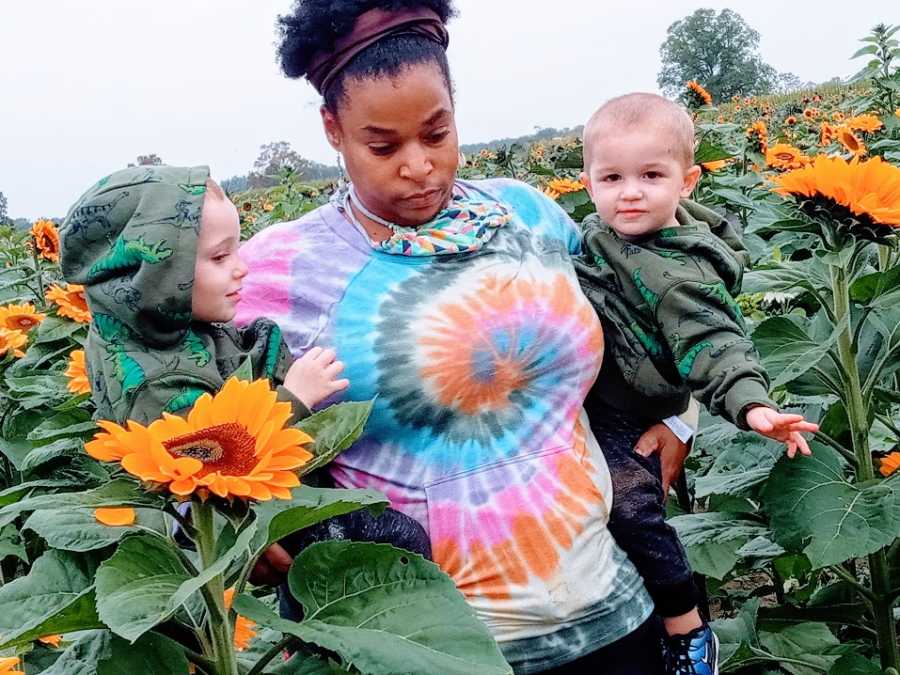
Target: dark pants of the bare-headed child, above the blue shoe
x,y
638,517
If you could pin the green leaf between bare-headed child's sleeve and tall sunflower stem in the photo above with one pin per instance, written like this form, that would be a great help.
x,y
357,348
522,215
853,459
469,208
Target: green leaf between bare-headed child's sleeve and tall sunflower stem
x,y
787,351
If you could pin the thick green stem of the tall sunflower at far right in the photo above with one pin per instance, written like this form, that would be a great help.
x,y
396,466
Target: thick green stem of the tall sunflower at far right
x,y
857,414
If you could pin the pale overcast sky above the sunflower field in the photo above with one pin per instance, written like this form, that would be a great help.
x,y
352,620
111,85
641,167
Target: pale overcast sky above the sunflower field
x,y
87,85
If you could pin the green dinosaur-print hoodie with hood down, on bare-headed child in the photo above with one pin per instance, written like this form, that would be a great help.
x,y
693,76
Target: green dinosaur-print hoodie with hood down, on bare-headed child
x,y
670,320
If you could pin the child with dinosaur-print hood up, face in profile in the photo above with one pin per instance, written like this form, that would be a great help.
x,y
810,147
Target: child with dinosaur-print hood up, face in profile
x,y
156,248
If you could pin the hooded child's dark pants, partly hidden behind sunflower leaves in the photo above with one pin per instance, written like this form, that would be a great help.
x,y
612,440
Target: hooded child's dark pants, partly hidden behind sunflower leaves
x,y
391,527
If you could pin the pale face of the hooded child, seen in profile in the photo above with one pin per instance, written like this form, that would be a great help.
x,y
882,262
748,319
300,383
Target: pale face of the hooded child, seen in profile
x,y
218,271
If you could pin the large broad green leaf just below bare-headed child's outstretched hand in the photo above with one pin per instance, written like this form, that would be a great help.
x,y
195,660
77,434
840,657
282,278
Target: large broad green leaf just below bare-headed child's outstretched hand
x,y
814,508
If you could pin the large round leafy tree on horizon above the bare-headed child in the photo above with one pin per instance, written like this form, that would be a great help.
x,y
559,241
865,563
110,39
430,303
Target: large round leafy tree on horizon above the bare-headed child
x,y
717,50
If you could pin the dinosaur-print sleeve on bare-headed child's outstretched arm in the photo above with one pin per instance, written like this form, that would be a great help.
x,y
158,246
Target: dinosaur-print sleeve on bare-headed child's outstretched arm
x,y
714,356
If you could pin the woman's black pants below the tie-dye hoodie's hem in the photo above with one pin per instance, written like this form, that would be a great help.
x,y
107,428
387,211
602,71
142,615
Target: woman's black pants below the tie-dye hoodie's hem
x,y
638,653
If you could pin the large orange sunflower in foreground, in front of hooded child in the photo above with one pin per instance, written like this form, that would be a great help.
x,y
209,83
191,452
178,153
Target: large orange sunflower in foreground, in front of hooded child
x,y
233,444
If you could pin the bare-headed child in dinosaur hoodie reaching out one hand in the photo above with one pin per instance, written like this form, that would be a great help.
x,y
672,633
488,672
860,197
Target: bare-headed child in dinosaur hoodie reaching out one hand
x,y
661,274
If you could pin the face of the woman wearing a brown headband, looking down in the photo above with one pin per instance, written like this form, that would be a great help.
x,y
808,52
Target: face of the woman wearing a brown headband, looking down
x,y
398,139
